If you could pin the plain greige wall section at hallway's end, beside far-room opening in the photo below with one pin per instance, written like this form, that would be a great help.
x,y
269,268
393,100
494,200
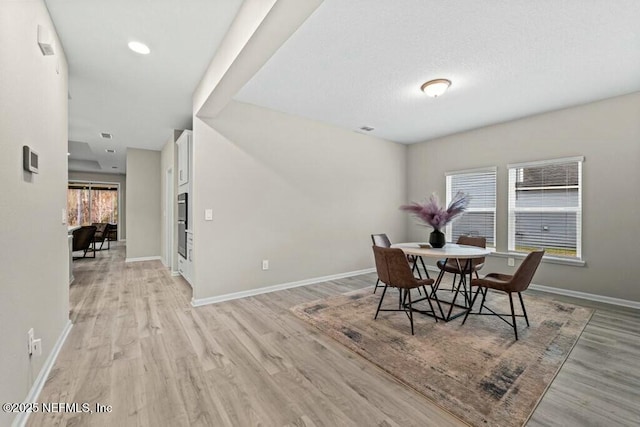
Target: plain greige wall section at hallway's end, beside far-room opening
x,y
143,203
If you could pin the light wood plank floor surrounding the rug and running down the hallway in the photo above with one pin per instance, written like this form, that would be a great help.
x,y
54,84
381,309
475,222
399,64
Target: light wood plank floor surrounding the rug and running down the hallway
x,y
139,346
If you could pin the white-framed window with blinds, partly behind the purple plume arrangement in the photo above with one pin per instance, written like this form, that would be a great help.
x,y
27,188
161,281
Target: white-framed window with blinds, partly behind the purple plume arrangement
x,y
480,217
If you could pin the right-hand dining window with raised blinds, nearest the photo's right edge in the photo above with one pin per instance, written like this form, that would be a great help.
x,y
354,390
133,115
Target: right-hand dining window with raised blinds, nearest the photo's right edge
x,y
545,207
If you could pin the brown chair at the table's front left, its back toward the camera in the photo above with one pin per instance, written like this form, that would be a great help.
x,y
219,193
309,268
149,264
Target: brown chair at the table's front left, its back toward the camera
x,y
393,270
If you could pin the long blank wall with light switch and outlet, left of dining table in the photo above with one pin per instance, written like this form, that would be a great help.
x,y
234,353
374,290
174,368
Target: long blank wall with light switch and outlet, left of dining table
x,y
304,195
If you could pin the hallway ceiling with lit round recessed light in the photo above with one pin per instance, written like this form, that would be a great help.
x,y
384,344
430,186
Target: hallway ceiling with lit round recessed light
x,y
138,99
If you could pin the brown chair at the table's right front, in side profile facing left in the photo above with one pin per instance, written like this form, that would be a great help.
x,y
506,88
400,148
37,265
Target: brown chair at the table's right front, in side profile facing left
x,y
510,284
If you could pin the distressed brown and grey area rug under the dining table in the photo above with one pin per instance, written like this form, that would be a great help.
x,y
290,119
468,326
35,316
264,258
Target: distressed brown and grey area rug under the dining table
x,y
476,371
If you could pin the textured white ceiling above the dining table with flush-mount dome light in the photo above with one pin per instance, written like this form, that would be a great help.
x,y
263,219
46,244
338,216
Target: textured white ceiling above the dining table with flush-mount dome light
x,y
361,62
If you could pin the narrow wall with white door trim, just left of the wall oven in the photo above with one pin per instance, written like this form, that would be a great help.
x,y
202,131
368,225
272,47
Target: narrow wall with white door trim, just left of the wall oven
x,y
168,160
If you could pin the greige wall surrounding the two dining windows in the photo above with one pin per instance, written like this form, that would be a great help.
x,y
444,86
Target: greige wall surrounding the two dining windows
x,y
607,133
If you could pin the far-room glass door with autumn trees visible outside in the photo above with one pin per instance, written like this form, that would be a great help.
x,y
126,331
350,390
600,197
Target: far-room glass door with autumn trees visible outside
x,y
89,202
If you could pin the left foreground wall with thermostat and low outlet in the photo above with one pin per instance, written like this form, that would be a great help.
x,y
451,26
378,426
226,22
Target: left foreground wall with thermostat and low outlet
x,y
34,263
